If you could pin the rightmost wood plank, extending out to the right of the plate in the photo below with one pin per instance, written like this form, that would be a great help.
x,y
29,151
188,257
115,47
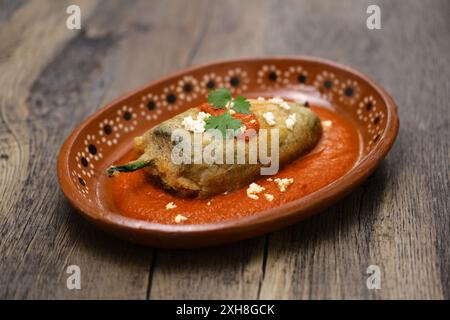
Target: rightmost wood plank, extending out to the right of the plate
x,y
398,219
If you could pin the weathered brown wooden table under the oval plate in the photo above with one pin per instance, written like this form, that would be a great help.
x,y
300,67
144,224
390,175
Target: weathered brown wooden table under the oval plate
x,y
51,78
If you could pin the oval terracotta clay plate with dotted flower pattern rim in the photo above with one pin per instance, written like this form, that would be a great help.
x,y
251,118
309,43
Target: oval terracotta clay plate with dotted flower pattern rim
x,y
106,136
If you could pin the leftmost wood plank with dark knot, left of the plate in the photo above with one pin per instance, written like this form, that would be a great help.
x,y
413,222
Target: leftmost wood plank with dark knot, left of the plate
x,y
52,78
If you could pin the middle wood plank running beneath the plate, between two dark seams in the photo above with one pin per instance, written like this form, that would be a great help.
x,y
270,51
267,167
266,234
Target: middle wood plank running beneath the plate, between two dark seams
x,y
231,272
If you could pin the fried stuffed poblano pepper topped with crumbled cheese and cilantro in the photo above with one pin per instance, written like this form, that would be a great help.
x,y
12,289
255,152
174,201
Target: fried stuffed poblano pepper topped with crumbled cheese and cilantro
x,y
296,128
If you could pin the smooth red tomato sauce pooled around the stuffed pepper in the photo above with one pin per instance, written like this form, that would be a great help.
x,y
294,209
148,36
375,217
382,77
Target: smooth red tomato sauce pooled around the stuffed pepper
x,y
336,153
